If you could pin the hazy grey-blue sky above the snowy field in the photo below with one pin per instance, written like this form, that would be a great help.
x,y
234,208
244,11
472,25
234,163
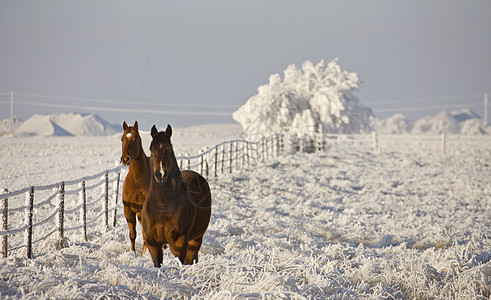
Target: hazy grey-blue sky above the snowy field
x,y
193,62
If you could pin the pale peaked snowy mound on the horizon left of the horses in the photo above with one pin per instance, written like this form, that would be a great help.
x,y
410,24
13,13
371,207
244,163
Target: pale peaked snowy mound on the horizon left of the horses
x,y
71,124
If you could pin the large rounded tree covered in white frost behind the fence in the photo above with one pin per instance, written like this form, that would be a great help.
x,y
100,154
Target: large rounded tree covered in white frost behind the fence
x,y
308,98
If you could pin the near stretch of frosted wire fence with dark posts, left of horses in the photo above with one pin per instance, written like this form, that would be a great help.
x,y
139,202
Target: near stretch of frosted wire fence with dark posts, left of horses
x,y
60,213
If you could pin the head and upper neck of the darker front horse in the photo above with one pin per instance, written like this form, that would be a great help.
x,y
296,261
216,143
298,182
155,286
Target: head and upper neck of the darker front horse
x,y
162,159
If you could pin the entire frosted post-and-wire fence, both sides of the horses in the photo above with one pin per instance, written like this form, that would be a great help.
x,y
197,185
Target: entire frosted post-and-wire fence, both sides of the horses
x,y
222,158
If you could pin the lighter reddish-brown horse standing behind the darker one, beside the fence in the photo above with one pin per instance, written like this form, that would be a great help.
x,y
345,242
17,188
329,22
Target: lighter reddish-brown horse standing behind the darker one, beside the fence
x,y
137,181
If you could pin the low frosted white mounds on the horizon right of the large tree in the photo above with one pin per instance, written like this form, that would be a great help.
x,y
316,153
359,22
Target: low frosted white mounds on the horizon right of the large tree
x,y
464,122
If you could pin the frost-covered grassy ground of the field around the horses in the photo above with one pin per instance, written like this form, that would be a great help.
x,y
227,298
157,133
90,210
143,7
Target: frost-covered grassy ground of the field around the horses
x,y
344,223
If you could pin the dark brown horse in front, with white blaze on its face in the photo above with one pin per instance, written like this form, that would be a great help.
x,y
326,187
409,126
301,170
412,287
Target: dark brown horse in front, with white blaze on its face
x,y
177,209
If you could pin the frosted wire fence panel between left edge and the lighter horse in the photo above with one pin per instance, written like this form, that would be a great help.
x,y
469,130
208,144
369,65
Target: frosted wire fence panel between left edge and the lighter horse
x,y
52,212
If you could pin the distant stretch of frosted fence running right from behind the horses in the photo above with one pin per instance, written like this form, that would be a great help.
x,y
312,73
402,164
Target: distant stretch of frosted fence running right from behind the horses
x,y
237,154
